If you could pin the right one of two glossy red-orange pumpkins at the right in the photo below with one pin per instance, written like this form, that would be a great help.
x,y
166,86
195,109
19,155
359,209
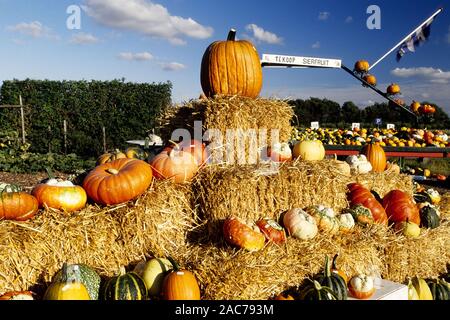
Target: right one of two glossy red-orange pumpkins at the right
x,y
400,207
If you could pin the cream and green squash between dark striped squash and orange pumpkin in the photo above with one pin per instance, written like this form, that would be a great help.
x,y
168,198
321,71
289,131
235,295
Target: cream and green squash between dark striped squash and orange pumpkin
x,y
153,273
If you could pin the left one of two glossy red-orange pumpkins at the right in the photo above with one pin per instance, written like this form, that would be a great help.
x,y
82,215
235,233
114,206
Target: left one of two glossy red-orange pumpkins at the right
x,y
358,194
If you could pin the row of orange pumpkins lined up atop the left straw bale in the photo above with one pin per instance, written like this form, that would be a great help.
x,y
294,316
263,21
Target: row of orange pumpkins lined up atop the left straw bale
x,y
117,178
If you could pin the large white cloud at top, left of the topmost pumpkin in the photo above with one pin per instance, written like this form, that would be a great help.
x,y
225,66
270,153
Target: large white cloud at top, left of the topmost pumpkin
x,y
145,17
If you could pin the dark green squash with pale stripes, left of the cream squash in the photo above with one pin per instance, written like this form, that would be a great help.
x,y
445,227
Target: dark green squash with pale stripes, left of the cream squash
x,y
126,286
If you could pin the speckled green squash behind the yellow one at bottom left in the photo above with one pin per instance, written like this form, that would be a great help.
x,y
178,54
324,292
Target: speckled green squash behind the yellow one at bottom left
x,y
86,275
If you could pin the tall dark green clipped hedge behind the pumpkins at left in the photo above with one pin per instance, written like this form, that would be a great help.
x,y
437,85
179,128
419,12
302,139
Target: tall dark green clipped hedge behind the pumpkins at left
x,y
126,110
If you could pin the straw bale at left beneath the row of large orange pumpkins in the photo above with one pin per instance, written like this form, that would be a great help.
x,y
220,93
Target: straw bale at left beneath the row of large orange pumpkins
x,y
157,223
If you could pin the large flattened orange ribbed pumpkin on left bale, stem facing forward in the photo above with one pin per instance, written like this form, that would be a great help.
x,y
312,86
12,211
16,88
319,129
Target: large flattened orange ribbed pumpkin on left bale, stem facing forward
x,y
118,181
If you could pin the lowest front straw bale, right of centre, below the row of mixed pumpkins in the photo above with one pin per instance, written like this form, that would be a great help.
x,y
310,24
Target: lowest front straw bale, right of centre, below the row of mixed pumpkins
x,y
228,273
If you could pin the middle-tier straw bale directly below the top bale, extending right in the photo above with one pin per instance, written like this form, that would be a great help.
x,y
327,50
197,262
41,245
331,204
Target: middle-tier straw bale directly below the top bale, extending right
x,y
253,192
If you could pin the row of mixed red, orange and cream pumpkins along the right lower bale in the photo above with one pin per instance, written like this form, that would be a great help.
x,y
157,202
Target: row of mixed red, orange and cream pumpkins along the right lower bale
x,y
406,214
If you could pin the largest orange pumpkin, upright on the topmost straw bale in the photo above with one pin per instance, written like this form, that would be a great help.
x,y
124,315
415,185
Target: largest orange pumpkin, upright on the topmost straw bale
x,y
231,67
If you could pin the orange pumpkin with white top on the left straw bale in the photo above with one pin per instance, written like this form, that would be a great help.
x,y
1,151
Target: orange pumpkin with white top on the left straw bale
x,y
61,195
